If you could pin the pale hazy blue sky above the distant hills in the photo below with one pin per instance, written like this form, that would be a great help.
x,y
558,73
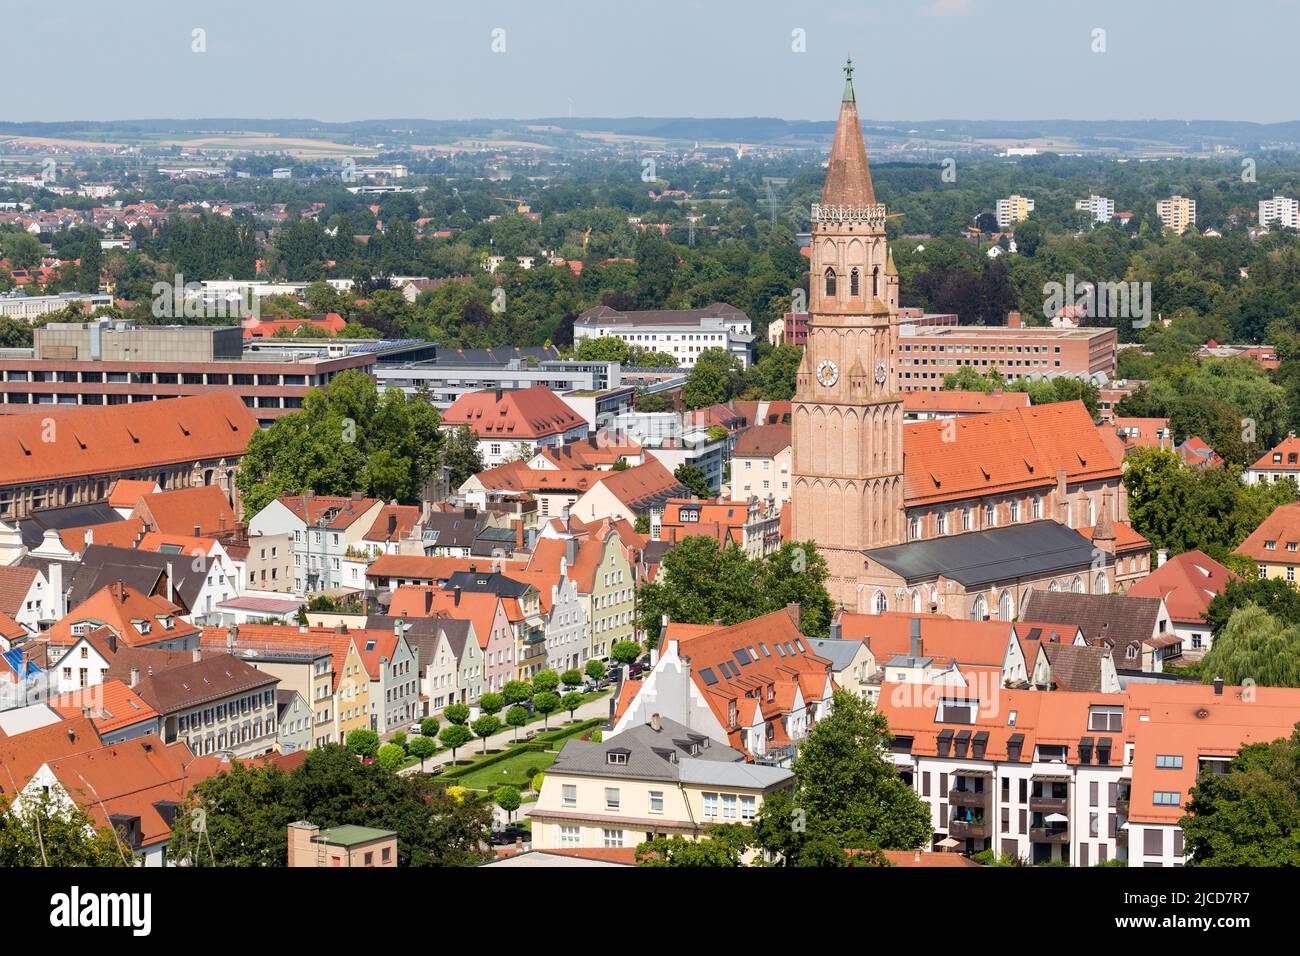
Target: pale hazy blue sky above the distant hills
x,y
434,59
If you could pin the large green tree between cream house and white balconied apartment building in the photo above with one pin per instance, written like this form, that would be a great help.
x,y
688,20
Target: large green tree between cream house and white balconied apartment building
x,y
848,793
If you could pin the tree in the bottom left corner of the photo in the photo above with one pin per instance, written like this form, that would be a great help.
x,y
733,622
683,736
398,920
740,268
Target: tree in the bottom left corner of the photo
x,y
44,832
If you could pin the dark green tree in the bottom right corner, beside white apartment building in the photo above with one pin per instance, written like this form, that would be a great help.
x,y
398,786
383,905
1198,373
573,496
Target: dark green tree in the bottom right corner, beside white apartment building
x,y
1251,815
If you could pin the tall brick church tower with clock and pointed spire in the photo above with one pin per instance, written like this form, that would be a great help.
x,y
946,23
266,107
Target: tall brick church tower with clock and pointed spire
x,y
848,491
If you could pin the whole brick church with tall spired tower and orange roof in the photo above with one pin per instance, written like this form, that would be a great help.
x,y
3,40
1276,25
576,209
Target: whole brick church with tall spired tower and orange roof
x,y
959,517
